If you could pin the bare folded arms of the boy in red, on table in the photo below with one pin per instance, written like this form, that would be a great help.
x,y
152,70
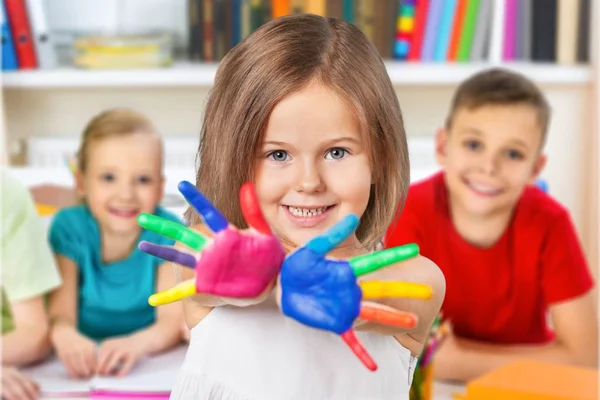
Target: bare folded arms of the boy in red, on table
x,y
576,326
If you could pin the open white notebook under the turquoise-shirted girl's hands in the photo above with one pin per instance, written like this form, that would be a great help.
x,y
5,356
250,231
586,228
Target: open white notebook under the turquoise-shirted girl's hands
x,y
153,377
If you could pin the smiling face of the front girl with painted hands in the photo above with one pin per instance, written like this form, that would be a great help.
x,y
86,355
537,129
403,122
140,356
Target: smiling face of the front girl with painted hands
x,y
313,167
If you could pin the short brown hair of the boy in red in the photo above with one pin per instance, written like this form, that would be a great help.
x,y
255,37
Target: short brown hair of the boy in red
x,y
498,86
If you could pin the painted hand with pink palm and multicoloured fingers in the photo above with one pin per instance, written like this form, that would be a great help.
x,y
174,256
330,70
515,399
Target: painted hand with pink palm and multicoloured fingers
x,y
238,266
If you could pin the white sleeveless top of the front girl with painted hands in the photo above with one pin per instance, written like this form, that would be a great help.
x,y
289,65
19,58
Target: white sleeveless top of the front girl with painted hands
x,y
256,353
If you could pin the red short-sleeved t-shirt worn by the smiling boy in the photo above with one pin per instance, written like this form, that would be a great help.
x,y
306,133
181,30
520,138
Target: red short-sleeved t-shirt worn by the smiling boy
x,y
501,293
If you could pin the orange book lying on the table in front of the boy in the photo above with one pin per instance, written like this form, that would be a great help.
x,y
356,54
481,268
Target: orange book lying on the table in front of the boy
x,y
530,380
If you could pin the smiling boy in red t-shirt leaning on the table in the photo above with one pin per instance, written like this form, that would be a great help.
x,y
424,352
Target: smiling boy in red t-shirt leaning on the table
x,y
509,252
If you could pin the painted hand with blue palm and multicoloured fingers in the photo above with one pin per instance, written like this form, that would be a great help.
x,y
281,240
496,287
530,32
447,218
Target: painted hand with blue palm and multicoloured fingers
x,y
325,294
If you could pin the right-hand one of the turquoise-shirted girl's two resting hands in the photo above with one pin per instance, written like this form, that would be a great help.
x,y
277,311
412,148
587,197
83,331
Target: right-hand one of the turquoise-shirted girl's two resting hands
x,y
118,355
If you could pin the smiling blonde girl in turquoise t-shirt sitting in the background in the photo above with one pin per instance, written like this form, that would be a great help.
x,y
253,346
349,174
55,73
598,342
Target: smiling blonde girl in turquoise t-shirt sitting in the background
x,y
101,320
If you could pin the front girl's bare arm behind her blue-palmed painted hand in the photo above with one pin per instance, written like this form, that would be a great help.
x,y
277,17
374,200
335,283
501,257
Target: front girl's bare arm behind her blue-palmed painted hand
x,y
417,270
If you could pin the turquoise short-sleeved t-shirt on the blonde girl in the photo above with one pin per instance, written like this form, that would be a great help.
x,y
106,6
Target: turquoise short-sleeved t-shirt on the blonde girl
x,y
113,297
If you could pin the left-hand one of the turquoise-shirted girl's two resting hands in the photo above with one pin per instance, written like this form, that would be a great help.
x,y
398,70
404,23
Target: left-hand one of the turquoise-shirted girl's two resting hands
x,y
77,352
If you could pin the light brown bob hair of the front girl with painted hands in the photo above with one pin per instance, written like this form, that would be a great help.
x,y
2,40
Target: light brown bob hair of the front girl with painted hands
x,y
278,59
